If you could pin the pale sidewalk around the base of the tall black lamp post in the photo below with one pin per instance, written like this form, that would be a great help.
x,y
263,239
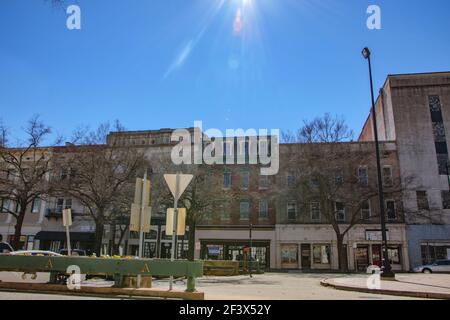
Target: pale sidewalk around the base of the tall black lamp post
x,y
431,286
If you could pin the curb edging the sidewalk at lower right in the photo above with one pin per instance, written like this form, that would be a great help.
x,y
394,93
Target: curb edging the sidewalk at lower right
x,y
413,294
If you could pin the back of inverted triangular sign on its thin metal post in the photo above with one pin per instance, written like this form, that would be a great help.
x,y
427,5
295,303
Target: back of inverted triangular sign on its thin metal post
x,y
177,184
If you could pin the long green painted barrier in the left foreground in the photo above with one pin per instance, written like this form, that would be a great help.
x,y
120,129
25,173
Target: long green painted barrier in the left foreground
x,y
118,268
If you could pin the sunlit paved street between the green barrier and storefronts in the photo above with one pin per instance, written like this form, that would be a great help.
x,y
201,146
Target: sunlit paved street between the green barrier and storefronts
x,y
273,286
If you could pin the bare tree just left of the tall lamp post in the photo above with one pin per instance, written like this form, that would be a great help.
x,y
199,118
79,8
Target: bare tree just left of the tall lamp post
x,y
329,177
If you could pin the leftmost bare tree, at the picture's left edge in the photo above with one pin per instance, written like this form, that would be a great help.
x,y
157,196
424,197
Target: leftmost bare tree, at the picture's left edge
x,y
24,171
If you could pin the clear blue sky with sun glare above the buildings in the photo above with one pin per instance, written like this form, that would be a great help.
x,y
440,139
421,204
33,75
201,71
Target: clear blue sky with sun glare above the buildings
x,y
165,63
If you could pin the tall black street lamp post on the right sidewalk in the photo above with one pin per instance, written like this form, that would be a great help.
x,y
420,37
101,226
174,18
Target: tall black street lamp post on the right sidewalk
x,y
387,272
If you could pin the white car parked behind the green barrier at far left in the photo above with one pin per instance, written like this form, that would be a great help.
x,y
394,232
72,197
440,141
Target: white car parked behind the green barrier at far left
x,y
24,277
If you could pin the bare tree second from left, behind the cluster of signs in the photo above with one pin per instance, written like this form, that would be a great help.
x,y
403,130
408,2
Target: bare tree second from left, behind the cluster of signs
x,y
102,177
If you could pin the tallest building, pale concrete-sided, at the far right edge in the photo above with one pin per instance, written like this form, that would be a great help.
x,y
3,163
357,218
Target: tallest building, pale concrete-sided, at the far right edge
x,y
414,111
